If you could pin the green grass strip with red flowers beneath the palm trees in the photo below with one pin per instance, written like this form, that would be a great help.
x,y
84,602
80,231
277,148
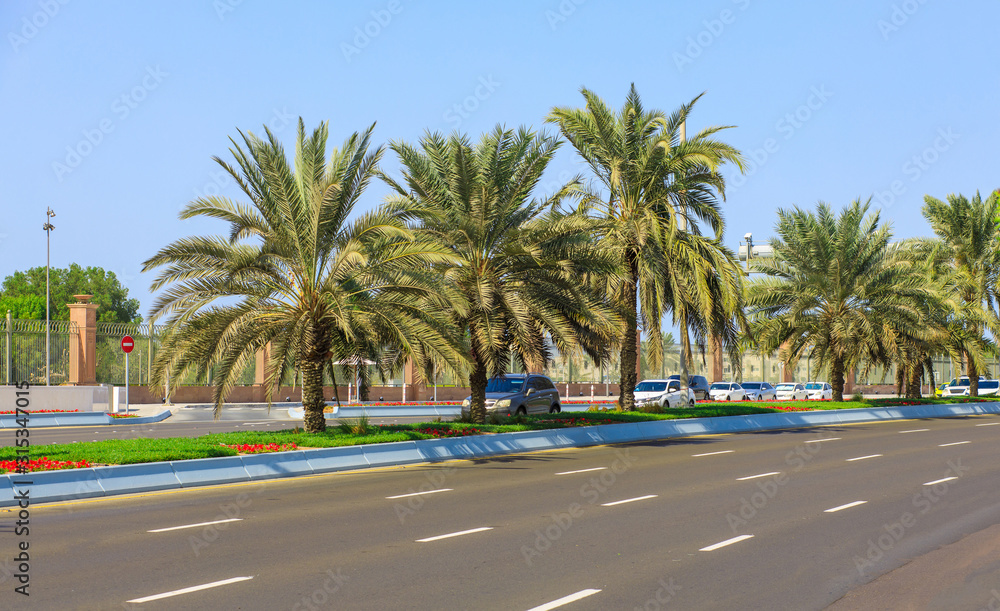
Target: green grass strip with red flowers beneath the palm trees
x,y
130,451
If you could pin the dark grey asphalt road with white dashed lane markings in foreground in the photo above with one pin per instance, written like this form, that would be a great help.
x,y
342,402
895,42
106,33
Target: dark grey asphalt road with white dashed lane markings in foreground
x,y
777,520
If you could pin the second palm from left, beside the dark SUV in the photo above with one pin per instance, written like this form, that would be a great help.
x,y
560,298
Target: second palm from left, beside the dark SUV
x,y
518,260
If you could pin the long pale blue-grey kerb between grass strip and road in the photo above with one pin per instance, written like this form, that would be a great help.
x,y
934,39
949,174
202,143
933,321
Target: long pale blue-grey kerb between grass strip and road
x,y
100,481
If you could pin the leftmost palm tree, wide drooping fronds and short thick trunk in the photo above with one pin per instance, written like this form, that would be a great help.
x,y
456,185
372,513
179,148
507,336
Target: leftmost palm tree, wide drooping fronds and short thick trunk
x,y
296,273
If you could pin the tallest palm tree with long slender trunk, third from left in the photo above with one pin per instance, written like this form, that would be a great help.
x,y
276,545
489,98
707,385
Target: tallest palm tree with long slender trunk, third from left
x,y
654,186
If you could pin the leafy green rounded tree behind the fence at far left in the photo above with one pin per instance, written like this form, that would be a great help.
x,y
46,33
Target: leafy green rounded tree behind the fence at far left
x,y
111,297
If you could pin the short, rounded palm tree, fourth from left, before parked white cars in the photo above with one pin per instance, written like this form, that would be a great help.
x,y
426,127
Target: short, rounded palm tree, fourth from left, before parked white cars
x,y
834,291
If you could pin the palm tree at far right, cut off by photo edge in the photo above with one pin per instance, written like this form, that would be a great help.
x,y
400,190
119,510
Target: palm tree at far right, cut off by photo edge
x,y
969,229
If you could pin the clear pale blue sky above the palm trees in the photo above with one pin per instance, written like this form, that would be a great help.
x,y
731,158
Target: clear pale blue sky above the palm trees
x,y
113,110
